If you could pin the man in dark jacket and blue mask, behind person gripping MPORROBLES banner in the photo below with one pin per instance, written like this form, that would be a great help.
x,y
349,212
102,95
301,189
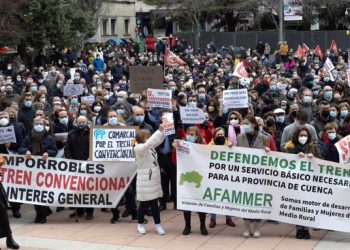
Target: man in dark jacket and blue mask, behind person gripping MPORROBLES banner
x,y
26,112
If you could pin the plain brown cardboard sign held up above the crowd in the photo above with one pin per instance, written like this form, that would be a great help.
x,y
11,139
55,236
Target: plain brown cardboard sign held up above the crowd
x,y
144,77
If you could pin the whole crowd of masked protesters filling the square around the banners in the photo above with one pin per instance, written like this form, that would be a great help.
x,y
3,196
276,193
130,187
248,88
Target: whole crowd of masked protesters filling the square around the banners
x,y
295,106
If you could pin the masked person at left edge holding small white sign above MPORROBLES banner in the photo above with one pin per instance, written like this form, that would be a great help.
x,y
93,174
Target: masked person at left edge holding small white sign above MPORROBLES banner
x,y
12,147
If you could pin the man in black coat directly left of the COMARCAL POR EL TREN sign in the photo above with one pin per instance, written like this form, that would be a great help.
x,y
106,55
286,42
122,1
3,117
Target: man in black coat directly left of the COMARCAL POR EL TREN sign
x,y
79,136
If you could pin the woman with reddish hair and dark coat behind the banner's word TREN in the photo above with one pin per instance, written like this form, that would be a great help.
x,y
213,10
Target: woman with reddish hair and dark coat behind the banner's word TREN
x,y
325,146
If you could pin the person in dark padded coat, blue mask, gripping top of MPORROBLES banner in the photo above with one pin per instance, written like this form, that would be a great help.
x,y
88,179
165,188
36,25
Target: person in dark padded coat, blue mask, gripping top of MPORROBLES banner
x,y
39,142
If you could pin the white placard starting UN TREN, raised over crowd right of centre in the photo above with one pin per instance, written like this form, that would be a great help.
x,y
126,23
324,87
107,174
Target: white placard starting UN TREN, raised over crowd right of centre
x,y
235,98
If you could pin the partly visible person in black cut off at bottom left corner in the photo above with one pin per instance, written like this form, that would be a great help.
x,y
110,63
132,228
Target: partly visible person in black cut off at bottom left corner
x,y
5,230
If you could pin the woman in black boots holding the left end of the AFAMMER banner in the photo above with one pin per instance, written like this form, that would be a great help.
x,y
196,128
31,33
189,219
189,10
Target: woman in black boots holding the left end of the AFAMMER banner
x,y
192,135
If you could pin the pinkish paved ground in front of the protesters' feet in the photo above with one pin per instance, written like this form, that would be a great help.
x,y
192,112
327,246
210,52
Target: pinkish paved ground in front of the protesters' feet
x,y
63,233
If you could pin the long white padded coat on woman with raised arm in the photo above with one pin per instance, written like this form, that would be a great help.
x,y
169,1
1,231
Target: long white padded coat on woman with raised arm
x,y
148,184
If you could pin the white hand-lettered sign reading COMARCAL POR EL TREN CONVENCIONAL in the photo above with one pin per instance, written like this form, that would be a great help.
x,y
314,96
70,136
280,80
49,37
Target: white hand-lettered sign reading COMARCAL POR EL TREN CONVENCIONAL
x,y
112,143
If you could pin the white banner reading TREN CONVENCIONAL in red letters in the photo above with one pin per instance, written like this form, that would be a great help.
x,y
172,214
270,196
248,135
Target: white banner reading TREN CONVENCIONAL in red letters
x,y
65,183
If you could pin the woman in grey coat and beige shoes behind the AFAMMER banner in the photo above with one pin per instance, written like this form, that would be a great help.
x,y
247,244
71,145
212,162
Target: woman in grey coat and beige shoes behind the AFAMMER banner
x,y
252,138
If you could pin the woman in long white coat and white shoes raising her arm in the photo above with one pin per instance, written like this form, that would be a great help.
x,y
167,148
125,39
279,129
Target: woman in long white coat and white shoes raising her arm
x,y
148,185
